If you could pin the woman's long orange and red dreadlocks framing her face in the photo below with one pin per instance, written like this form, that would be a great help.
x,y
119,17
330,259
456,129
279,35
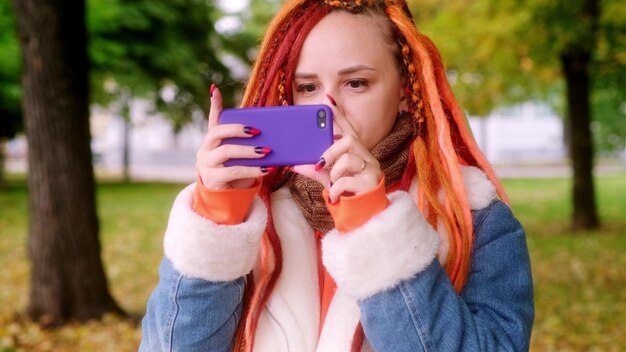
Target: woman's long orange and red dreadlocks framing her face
x,y
443,142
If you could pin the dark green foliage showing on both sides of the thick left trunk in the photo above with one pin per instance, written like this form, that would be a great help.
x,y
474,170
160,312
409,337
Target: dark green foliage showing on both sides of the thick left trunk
x,y
136,50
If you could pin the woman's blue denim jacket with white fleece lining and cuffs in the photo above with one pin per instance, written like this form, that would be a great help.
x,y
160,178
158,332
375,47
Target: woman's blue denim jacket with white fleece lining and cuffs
x,y
399,309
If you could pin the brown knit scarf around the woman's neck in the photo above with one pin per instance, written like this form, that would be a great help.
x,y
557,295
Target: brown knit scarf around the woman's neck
x,y
392,153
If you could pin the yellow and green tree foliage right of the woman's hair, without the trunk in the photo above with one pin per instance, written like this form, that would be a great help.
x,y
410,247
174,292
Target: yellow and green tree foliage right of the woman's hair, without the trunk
x,y
501,52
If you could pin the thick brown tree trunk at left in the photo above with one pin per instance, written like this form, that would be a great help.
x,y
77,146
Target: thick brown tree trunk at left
x,y
67,278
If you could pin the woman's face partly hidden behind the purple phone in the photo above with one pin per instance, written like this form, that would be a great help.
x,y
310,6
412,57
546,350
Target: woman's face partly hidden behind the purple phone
x,y
347,57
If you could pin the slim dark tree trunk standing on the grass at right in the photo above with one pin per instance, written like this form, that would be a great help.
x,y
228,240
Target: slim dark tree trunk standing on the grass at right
x,y
576,69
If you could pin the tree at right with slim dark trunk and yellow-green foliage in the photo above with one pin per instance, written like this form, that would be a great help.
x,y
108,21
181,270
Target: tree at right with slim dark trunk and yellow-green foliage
x,y
568,53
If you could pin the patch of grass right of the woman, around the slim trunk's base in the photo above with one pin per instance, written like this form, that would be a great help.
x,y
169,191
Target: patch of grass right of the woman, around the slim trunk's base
x,y
579,277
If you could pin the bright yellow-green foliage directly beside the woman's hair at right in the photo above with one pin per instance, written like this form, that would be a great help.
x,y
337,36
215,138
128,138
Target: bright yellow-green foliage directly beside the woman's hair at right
x,y
485,59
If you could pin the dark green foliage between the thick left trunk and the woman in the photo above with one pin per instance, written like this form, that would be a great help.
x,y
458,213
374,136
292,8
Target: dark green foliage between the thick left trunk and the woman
x,y
145,46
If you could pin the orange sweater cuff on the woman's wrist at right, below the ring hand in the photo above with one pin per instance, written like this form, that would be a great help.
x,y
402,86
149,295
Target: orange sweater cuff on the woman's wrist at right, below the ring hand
x,y
350,212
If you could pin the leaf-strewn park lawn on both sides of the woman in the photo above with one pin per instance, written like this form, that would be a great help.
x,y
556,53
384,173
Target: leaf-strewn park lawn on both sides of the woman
x,y
580,278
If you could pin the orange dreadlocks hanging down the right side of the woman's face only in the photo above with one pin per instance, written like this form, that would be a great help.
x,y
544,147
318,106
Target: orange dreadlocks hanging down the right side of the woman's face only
x,y
439,154
